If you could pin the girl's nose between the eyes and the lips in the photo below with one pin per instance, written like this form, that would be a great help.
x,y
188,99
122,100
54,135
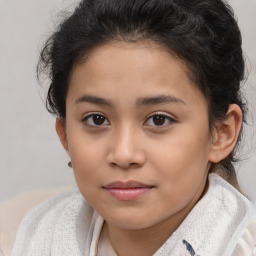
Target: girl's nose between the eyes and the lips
x,y
126,149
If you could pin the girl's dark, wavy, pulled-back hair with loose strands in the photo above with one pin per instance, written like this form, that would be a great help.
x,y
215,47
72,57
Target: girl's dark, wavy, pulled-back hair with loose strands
x,y
202,33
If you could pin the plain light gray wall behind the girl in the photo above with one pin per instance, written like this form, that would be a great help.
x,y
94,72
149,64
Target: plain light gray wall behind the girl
x,y
30,154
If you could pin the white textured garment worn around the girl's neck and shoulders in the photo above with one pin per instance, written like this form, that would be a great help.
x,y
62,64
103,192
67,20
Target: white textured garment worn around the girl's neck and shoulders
x,y
66,225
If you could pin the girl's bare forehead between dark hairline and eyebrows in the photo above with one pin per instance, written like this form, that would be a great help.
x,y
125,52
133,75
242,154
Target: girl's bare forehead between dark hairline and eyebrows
x,y
143,66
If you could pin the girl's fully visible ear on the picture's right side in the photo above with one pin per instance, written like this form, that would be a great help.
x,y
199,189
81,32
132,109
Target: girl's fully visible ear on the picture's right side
x,y
226,134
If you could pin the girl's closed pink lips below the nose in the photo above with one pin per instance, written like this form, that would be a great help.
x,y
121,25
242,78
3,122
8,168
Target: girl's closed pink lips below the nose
x,y
127,190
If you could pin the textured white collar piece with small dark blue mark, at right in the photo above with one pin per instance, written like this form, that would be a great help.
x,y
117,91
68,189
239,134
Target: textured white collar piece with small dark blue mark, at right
x,y
215,224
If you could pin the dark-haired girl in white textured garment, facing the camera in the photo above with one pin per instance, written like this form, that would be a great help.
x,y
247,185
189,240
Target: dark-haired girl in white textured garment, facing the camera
x,y
148,107
